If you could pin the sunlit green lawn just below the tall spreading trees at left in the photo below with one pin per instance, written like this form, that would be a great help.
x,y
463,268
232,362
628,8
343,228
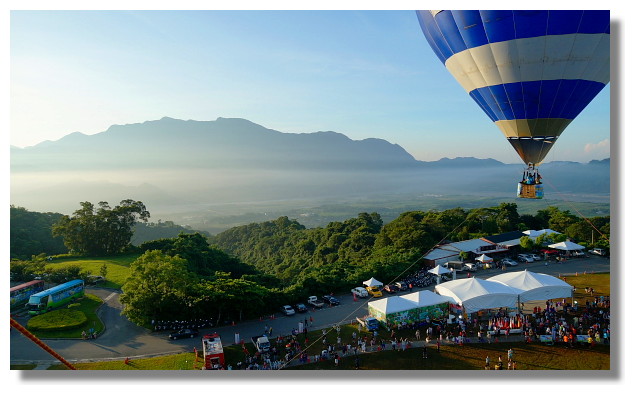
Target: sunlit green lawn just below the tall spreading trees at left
x,y
118,267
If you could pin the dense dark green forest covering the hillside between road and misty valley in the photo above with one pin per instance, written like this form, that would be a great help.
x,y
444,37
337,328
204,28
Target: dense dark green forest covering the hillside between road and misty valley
x,y
248,269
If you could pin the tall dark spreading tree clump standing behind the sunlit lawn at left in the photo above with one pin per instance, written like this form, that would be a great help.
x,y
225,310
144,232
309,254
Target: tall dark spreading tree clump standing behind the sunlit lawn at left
x,y
102,230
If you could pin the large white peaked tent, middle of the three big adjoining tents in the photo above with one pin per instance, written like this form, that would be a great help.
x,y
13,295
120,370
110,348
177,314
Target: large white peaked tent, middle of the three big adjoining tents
x,y
475,294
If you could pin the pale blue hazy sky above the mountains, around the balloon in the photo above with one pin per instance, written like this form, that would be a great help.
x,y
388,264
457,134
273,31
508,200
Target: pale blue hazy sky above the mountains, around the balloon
x,y
361,73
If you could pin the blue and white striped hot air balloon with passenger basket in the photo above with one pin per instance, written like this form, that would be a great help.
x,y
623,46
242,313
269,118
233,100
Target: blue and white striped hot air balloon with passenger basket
x,y
531,72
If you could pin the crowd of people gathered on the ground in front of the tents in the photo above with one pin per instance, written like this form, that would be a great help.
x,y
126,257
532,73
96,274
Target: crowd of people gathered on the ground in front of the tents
x,y
556,322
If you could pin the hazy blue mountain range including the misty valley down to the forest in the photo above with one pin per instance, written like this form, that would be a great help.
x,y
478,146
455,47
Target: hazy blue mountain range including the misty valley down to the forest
x,y
184,165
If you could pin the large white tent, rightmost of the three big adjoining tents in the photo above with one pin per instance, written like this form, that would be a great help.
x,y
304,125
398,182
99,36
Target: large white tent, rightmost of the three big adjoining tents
x,y
535,286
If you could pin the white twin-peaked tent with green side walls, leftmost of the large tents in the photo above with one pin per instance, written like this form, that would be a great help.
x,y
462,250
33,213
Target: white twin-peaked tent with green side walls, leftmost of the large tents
x,y
414,307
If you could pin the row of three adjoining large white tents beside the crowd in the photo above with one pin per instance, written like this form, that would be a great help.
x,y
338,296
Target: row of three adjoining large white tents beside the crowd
x,y
505,290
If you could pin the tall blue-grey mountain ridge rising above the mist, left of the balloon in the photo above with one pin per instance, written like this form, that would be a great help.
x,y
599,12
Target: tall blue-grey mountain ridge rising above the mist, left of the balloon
x,y
236,143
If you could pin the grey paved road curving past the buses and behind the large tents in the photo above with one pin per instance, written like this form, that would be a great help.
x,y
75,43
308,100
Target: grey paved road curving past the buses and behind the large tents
x,y
123,339
